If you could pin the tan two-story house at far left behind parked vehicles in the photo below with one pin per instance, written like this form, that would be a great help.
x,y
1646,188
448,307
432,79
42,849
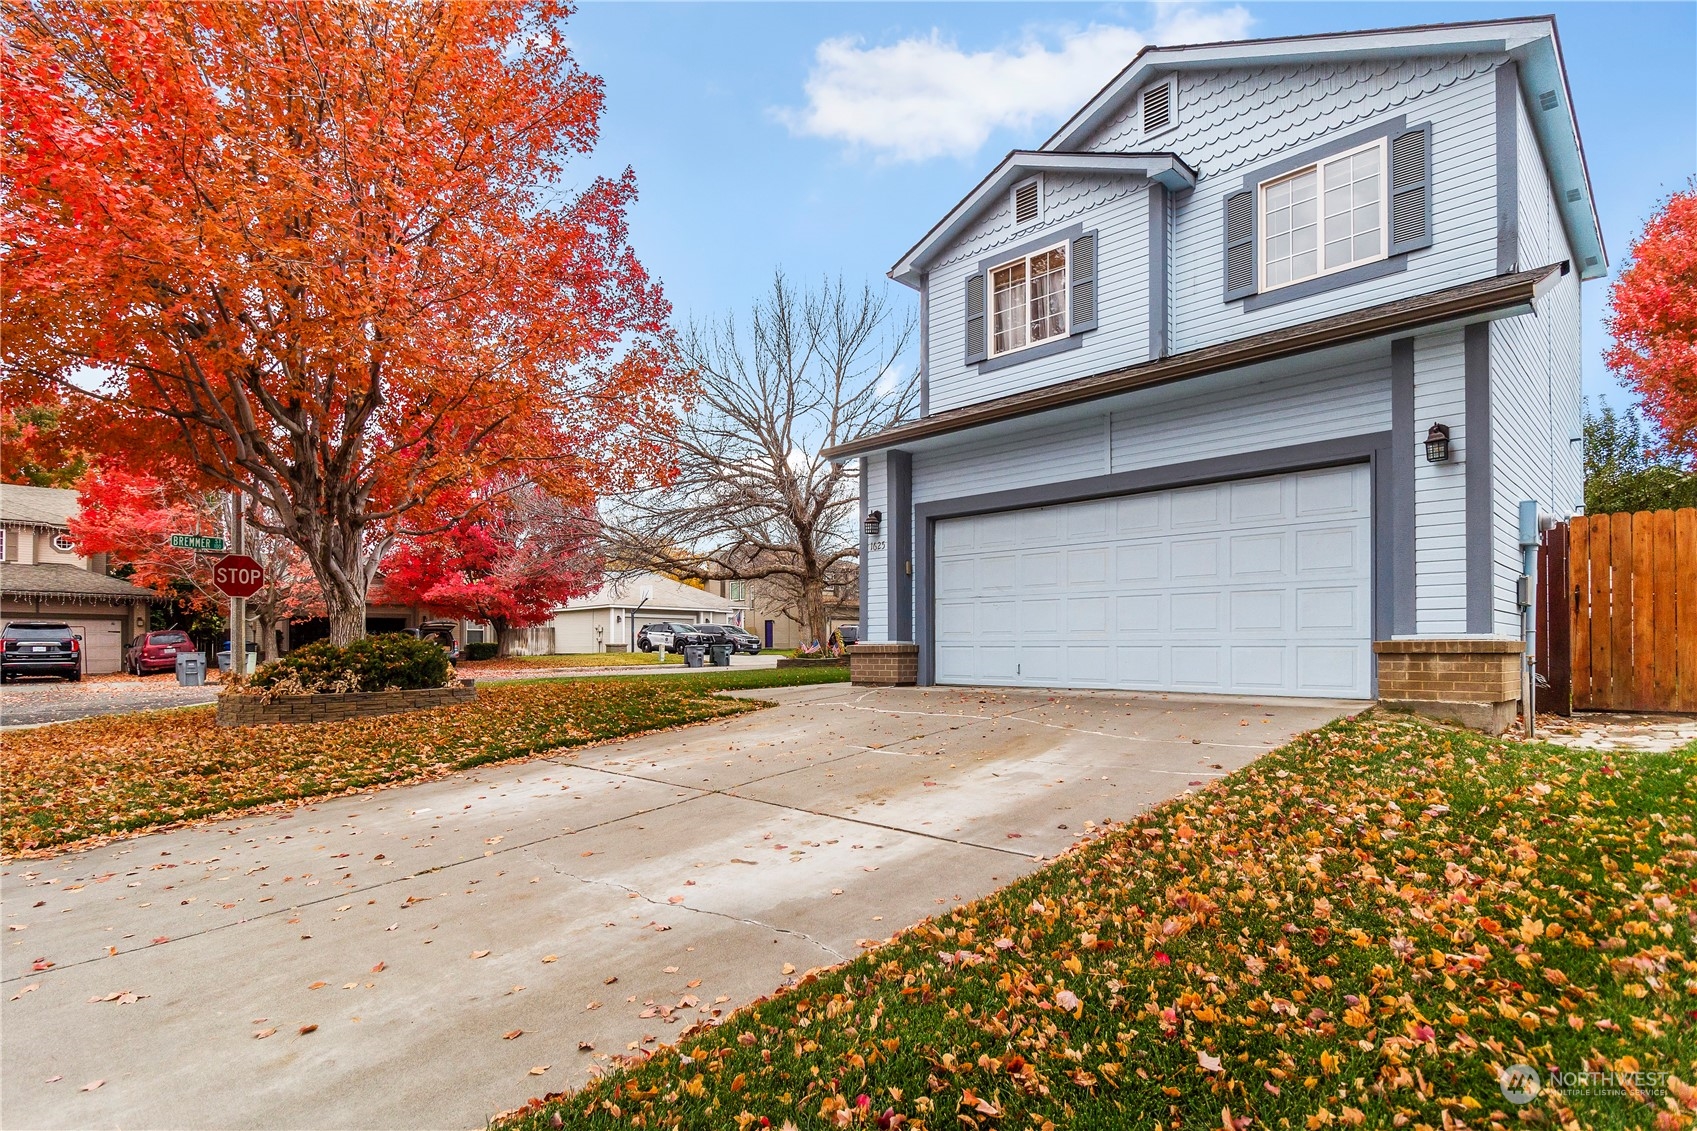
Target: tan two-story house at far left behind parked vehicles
x,y
45,578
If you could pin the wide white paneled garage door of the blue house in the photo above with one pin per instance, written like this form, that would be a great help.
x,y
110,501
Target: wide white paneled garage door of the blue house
x,y
1258,587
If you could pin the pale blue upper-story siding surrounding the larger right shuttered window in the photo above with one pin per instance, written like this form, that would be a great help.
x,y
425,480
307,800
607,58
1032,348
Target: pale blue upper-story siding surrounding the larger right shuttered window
x,y
1240,120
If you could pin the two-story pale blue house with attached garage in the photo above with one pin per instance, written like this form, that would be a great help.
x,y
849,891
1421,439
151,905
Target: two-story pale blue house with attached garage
x,y
1180,366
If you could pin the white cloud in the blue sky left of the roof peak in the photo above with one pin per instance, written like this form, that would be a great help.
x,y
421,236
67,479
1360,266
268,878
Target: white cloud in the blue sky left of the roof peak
x,y
926,98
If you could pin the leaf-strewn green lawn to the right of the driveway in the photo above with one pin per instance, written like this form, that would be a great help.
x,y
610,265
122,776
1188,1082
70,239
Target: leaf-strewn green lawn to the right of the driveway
x,y
1360,930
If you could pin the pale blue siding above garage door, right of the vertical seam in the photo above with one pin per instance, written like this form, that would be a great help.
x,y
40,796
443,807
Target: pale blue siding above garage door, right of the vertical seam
x,y
1231,417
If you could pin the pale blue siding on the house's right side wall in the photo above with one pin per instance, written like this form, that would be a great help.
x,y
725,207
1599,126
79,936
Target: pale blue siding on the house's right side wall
x,y
1535,371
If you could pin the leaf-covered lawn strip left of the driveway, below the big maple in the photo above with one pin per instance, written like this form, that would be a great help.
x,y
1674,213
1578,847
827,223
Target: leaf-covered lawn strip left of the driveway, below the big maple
x,y
120,774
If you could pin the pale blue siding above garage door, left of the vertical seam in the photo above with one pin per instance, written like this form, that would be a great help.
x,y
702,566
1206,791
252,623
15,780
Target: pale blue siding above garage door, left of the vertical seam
x,y
1004,463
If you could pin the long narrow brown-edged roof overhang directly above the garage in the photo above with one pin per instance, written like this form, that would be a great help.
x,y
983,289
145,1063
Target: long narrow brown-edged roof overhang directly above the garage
x,y
1472,301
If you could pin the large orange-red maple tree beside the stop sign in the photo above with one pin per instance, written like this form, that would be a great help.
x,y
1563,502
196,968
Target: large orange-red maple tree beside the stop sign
x,y
325,256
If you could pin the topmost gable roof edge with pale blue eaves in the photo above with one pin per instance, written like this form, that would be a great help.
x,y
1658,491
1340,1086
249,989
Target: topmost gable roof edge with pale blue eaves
x,y
1530,42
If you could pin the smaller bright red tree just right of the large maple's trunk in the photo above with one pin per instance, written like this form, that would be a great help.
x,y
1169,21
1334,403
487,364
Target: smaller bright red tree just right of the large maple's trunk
x,y
520,558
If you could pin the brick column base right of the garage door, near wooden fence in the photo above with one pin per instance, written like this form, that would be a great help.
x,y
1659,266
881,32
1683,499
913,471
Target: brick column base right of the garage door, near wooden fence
x,y
1474,682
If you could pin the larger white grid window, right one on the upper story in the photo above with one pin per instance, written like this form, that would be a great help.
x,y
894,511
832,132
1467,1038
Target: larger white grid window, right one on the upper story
x,y
1325,218
